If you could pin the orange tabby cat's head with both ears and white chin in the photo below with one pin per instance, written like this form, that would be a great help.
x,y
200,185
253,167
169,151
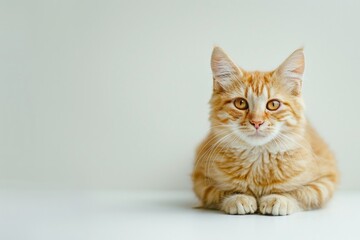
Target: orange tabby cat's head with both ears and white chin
x,y
258,107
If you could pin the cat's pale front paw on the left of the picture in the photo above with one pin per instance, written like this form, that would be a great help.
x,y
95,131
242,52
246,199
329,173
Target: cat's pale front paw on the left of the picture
x,y
239,204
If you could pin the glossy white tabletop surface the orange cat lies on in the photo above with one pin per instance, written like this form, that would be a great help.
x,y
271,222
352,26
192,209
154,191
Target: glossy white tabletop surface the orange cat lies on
x,y
162,216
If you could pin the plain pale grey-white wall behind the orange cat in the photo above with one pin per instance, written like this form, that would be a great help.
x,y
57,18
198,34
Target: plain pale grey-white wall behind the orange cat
x,y
113,94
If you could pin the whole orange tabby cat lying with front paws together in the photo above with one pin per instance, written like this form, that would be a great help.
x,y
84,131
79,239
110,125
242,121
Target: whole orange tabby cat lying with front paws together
x,y
261,154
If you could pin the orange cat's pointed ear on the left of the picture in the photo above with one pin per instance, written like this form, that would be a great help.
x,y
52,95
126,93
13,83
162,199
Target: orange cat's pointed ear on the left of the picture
x,y
223,68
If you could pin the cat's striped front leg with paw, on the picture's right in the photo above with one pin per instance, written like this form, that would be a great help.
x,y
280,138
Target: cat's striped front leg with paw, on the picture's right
x,y
310,196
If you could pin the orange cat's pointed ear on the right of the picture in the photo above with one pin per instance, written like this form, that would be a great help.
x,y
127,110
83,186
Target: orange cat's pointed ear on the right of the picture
x,y
290,72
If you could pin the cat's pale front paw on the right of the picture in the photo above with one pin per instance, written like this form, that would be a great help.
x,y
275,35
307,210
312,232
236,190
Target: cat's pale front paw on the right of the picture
x,y
278,205
